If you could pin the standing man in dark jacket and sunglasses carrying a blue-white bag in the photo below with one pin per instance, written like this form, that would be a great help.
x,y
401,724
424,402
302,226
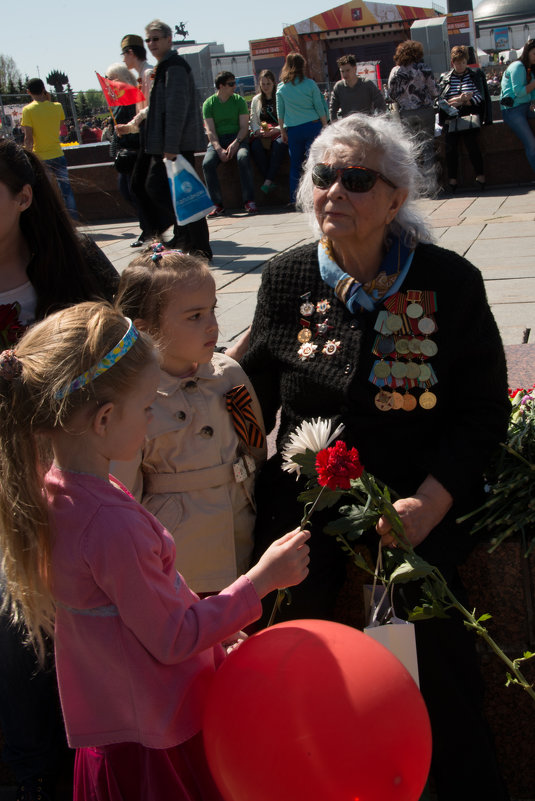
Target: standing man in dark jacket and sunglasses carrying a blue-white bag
x,y
173,127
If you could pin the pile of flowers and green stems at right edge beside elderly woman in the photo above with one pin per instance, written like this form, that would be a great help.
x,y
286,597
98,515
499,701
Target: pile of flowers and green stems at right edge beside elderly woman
x,y
510,508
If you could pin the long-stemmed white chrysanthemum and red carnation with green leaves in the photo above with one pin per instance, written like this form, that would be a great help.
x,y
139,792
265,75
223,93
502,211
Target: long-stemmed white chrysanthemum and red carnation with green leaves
x,y
335,473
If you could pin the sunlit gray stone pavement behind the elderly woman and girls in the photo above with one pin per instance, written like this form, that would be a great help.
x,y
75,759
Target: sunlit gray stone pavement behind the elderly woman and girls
x,y
494,230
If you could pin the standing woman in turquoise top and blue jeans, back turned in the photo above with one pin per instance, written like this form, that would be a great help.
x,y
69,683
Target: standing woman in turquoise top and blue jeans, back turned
x,y
301,111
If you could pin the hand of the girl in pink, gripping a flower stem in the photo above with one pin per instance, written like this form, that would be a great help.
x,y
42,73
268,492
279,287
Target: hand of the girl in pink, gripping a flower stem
x,y
284,564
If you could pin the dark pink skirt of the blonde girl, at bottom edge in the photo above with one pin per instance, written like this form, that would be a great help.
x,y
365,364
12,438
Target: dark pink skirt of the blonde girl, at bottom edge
x,y
131,772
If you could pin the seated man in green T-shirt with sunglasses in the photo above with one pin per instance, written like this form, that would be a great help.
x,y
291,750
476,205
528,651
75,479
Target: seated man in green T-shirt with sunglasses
x,y
226,122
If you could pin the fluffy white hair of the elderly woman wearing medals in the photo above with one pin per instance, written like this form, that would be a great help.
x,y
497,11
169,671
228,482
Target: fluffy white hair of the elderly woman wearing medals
x,y
398,153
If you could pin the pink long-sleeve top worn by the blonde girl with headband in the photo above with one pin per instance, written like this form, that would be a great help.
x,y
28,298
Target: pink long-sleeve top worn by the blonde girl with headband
x,y
135,647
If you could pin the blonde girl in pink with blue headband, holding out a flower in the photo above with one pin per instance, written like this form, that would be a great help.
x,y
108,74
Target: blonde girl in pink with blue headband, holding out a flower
x,y
135,648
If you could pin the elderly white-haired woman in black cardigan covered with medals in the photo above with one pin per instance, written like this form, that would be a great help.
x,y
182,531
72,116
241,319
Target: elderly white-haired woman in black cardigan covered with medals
x,y
376,327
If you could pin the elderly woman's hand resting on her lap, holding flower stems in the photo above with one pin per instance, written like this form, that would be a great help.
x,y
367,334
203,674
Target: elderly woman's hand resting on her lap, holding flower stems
x,y
419,514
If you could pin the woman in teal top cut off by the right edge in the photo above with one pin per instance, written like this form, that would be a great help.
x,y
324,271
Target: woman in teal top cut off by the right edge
x,y
518,86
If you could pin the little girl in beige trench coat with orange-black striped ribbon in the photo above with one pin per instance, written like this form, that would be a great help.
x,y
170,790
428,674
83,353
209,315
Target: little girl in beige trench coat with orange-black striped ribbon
x,y
196,470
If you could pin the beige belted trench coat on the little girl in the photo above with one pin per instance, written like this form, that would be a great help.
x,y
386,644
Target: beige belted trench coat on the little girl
x,y
185,475
